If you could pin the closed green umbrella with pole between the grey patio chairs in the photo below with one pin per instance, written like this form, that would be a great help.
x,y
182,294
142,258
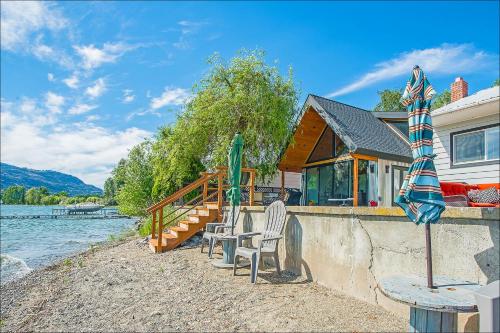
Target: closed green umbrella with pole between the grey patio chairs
x,y
234,174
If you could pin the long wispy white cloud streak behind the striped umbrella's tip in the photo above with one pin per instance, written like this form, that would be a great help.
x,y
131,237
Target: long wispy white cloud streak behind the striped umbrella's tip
x,y
445,59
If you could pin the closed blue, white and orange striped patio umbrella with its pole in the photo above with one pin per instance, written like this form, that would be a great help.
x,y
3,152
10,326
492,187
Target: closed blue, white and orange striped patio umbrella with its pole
x,y
420,195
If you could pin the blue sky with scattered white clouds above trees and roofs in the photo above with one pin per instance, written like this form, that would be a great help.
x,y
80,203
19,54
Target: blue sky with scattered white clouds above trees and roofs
x,y
83,82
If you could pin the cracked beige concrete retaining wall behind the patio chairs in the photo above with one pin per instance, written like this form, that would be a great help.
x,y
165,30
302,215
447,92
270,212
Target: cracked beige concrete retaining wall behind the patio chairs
x,y
351,252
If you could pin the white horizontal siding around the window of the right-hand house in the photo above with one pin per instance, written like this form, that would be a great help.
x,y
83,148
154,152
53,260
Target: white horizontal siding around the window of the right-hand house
x,y
481,174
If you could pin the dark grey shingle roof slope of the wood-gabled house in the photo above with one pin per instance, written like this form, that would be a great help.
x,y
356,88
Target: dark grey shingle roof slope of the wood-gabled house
x,y
360,130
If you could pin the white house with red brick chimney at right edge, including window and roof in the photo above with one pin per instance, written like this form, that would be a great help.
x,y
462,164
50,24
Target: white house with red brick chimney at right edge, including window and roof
x,y
466,136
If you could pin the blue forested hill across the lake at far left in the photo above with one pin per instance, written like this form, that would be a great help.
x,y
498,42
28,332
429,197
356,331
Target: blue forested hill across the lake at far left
x,y
54,181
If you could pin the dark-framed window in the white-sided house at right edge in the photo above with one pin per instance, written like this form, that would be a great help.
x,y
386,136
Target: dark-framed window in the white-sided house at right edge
x,y
476,145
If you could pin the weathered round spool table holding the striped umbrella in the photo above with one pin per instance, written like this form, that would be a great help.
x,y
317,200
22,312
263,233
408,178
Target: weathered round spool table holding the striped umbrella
x,y
431,310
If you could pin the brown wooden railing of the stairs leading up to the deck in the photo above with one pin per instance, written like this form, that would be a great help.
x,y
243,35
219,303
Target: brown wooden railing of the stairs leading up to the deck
x,y
211,186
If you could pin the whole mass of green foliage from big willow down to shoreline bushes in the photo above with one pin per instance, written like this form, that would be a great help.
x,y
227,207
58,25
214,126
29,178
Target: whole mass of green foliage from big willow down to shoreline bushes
x,y
243,95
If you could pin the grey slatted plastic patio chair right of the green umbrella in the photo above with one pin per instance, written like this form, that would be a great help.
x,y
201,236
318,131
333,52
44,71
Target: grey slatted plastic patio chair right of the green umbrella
x,y
267,245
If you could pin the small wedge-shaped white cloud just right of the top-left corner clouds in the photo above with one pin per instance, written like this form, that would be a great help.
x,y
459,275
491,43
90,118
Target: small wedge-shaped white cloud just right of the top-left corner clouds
x,y
93,57
